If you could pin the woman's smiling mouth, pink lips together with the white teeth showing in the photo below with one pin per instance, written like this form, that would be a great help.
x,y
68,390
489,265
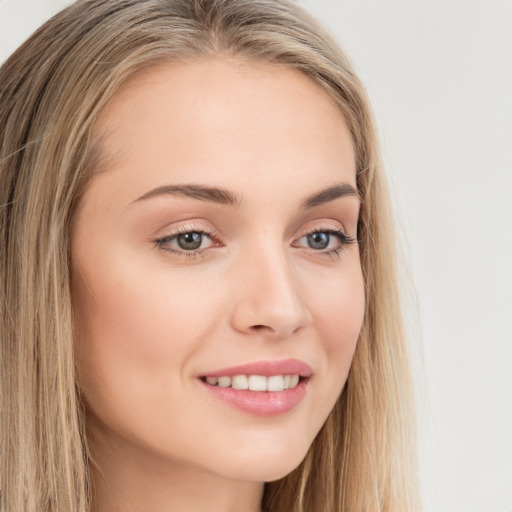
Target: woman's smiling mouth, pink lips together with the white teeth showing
x,y
264,388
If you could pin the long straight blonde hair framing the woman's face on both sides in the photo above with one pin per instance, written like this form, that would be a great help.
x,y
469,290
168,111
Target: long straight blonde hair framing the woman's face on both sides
x,y
52,90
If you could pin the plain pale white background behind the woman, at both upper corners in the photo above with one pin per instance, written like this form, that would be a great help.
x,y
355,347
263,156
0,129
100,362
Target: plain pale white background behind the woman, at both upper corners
x,y
440,77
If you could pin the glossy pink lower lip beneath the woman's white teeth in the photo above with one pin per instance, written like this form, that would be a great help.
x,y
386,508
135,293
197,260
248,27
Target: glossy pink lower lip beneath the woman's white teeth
x,y
261,403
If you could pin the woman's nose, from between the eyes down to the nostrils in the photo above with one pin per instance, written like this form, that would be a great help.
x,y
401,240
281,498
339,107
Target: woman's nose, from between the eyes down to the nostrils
x,y
268,298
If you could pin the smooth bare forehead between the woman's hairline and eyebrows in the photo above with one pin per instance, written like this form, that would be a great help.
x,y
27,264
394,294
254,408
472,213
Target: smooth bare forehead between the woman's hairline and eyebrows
x,y
226,119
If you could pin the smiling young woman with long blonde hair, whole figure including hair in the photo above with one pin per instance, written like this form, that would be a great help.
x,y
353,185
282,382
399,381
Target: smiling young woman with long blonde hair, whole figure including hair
x,y
176,330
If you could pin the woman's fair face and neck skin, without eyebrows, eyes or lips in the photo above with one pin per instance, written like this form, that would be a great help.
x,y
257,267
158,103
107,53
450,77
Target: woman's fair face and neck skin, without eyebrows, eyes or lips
x,y
151,319
